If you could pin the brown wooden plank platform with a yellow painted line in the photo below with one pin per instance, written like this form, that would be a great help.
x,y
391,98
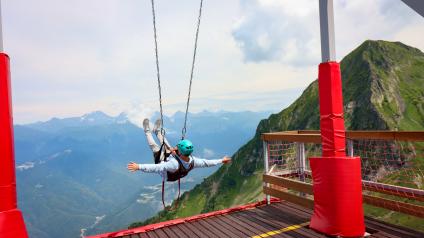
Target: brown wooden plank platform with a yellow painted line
x,y
281,219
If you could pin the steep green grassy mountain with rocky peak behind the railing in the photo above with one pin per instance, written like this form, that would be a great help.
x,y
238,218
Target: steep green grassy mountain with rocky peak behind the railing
x,y
382,89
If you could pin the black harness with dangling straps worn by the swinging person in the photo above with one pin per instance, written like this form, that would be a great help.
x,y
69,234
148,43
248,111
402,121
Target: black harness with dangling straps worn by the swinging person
x,y
171,177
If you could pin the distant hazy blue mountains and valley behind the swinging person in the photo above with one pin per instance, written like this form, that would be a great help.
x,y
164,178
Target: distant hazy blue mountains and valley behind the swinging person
x,y
72,177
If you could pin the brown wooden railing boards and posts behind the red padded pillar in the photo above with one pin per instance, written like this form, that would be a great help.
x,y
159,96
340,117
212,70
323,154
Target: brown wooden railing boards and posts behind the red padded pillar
x,y
290,188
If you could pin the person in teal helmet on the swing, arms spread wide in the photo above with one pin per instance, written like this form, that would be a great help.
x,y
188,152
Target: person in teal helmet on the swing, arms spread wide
x,y
172,163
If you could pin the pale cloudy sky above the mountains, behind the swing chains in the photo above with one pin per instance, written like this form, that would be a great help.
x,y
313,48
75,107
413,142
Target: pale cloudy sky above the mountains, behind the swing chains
x,y
69,58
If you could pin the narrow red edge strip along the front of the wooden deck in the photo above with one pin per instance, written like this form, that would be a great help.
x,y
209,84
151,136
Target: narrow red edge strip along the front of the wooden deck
x,y
177,221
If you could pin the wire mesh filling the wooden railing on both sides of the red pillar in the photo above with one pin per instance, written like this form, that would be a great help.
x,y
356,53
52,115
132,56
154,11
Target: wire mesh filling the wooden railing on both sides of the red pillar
x,y
383,161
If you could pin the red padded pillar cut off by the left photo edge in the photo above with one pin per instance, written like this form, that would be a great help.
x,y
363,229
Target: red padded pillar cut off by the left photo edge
x,y
11,221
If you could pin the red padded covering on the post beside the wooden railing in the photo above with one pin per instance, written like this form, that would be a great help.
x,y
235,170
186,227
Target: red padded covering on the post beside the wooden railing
x,y
336,178
